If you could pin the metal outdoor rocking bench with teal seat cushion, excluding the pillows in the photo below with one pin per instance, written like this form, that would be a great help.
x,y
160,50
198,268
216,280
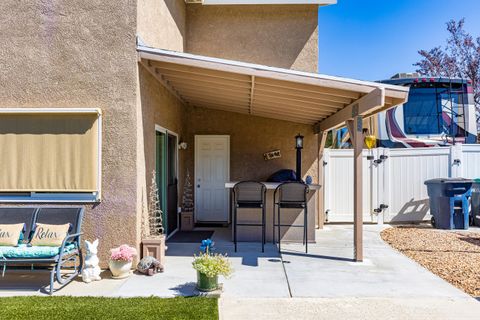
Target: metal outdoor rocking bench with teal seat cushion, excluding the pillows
x,y
57,259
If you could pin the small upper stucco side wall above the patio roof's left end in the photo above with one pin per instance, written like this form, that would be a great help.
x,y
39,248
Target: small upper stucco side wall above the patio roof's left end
x,y
161,23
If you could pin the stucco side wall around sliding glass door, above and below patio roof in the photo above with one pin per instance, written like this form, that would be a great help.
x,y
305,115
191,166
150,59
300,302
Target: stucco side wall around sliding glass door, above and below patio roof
x,y
162,24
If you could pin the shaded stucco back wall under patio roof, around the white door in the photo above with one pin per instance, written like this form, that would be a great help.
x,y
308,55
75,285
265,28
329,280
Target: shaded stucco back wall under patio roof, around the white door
x,y
250,138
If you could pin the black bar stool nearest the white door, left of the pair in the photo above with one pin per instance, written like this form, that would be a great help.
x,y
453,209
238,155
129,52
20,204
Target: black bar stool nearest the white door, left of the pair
x,y
249,194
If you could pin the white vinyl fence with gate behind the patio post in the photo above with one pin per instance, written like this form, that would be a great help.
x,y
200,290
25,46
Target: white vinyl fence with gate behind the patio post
x,y
393,180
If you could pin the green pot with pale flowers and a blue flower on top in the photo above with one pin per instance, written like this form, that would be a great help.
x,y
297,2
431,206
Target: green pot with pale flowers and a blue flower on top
x,y
209,266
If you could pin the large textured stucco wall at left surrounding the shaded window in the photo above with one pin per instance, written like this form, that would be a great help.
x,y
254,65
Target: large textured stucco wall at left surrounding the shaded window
x,y
80,54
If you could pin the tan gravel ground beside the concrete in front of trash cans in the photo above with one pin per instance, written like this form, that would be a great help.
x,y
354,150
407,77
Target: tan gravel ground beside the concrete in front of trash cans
x,y
452,255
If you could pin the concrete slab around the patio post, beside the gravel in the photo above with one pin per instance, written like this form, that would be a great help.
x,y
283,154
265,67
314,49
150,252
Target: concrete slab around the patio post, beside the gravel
x,y
327,270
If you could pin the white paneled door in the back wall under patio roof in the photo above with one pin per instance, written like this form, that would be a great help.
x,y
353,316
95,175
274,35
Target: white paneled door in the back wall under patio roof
x,y
212,170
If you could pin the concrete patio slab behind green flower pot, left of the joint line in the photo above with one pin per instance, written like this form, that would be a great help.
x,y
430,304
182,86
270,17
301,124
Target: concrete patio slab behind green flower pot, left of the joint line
x,y
256,274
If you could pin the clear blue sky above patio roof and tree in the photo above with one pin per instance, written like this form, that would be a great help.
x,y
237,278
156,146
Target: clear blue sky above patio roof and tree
x,y
374,39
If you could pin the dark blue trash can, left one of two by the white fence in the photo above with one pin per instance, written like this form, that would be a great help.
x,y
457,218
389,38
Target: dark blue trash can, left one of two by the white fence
x,y
449,202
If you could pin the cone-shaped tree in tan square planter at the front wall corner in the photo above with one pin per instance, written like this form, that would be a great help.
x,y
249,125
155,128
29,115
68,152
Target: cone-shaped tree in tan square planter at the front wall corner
x,y
153,243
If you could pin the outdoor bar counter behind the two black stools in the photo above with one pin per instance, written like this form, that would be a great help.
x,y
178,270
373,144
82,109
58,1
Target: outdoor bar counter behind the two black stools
x,y
288,216
